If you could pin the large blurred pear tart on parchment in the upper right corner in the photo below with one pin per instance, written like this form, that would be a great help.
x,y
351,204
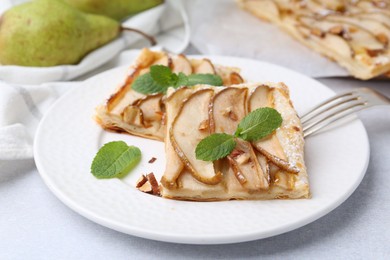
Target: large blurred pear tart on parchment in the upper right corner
x,y
355,34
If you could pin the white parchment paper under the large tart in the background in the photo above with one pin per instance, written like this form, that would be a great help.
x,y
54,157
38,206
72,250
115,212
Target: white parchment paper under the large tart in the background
x,y
220,27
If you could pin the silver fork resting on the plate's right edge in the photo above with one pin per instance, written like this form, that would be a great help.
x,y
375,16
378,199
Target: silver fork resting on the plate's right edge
x,y
339,107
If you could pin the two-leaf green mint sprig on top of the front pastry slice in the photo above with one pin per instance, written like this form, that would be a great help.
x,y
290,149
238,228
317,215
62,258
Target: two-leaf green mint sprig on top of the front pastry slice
x,y
254,126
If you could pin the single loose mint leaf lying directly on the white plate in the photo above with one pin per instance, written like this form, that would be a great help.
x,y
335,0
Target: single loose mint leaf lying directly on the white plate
x,y
115,159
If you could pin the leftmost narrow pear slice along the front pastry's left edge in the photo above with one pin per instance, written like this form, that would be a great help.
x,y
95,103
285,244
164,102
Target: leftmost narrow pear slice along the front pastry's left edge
x,y
174,165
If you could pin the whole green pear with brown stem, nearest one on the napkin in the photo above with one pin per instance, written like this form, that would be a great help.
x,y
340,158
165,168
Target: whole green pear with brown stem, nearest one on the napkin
x,y
50,32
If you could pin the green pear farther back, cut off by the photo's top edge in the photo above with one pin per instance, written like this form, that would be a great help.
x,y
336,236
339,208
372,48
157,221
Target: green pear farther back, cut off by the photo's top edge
x,y
116,9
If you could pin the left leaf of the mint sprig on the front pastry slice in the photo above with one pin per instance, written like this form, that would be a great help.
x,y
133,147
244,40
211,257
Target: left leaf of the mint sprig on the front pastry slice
x,y
214,147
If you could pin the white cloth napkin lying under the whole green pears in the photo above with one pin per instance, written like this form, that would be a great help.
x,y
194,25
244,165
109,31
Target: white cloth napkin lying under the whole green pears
x,y
23,105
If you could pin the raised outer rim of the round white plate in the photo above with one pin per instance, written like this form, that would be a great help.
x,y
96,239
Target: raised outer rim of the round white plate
x,y
171,237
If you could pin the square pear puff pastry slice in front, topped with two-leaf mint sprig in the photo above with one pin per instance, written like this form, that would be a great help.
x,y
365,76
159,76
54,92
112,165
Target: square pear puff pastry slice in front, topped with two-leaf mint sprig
x,y
272,168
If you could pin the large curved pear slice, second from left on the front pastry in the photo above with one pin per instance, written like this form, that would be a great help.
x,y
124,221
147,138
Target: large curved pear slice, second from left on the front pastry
x,y
185,135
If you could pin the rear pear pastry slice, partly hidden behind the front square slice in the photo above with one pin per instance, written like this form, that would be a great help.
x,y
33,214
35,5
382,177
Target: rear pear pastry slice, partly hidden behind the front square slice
x,y
142,115
